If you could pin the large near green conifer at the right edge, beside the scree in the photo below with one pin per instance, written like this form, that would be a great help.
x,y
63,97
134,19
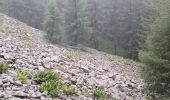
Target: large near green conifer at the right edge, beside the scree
x,y
156,57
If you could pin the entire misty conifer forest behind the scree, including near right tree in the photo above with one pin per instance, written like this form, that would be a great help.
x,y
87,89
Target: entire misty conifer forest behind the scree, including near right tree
x,y
136,29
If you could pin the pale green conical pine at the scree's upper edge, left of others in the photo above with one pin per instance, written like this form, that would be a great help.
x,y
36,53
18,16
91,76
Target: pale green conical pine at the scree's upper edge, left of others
x,y
53,24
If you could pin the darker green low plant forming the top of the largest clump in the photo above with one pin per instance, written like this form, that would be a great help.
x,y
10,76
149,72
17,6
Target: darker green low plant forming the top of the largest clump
x,y
45,76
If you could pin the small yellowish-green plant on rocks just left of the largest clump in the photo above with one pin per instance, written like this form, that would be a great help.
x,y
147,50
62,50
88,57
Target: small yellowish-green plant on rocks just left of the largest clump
x,y
22,76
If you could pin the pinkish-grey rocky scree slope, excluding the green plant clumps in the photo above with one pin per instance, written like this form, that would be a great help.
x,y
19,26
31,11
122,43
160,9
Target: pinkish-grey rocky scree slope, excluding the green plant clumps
x,y
24,48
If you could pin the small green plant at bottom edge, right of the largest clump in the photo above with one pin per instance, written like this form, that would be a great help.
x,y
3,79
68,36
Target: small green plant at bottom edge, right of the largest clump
x,y
99,94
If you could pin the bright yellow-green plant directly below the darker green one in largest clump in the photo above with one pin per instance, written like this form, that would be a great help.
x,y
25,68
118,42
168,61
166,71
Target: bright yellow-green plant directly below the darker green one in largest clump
x,y
53,88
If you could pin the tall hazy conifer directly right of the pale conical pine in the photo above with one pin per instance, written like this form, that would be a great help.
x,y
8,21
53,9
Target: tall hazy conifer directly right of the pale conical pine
x,y
76,23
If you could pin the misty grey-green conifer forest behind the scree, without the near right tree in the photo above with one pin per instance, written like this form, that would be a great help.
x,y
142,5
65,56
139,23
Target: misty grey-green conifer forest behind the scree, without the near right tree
x,y
113,26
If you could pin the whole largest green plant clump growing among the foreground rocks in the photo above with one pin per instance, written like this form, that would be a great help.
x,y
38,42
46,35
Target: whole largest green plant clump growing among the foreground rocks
x,y
50,83
